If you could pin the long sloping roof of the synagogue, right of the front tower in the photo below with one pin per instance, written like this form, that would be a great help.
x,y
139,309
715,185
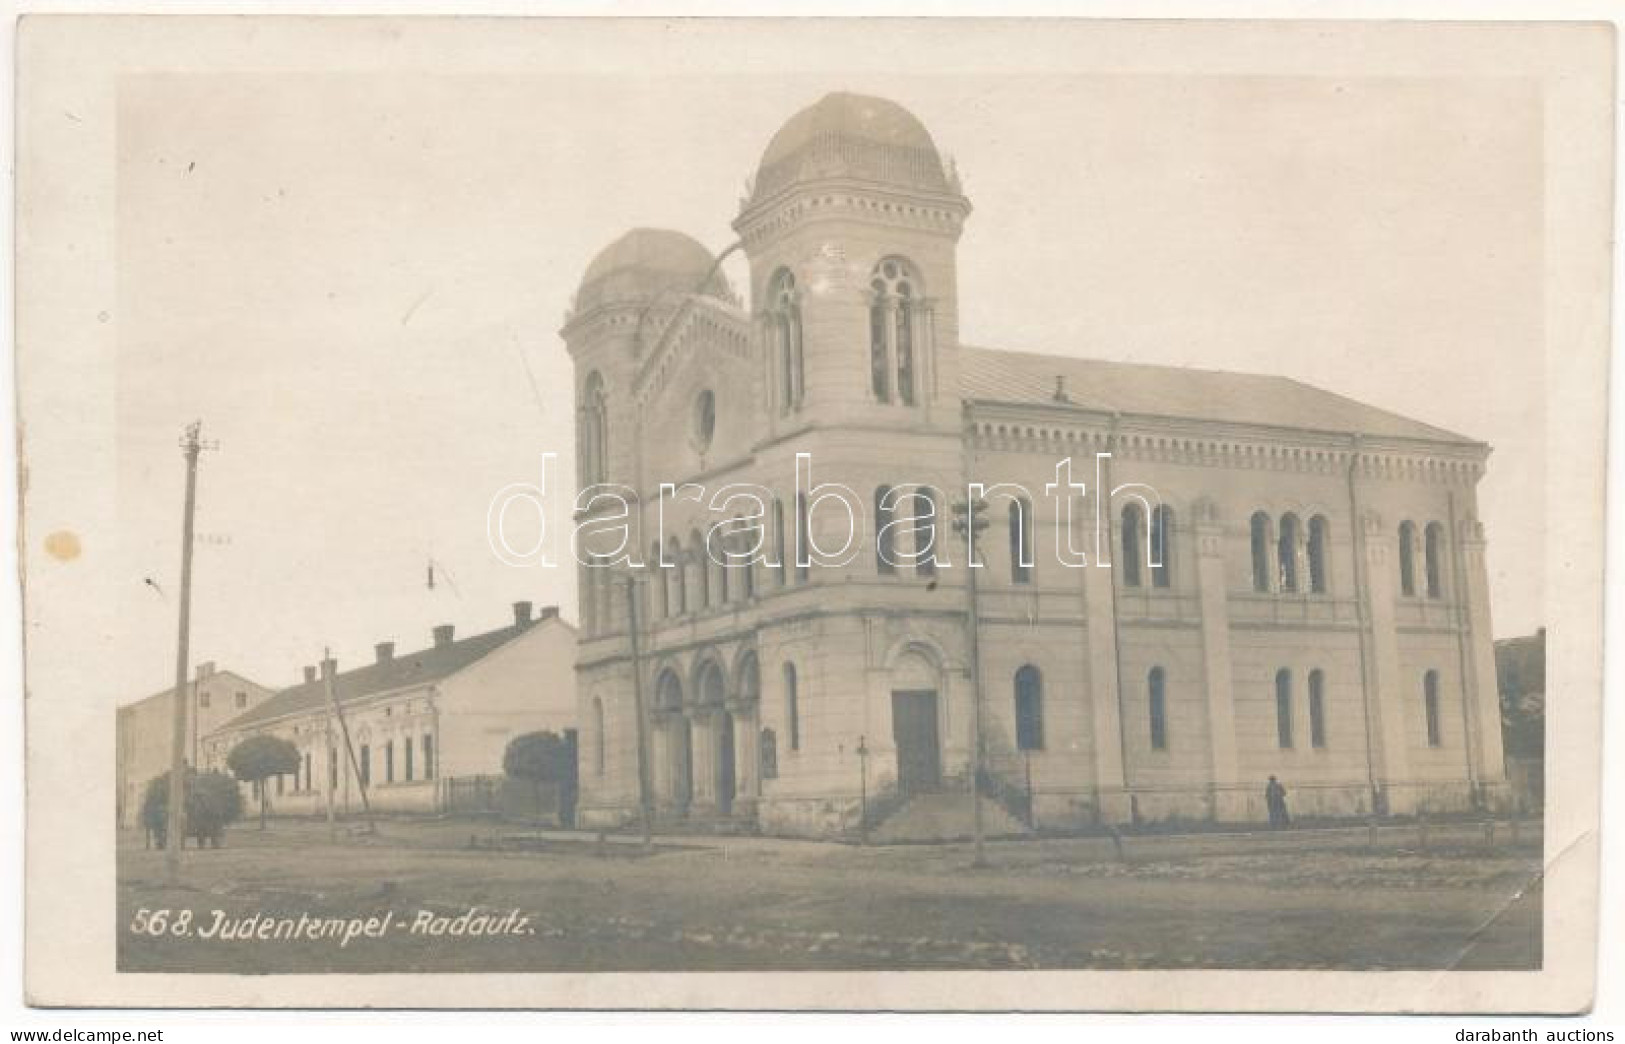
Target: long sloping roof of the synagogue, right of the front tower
x,y
1028,378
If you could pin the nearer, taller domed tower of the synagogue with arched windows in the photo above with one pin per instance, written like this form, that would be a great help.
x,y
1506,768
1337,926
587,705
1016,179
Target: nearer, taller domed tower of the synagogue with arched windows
x,y
852,228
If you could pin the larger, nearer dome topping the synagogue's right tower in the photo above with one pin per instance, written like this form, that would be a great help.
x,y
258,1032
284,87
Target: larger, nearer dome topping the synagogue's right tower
x,y
852,136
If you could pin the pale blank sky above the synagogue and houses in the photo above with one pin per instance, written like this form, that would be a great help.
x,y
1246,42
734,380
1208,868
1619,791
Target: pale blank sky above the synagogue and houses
x,y
357,281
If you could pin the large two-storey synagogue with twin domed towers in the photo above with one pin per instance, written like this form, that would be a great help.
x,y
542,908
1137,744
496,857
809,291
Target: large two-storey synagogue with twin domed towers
x,y
1283,583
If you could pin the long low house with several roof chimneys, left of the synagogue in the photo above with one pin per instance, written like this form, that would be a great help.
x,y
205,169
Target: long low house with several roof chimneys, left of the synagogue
x,y
417,721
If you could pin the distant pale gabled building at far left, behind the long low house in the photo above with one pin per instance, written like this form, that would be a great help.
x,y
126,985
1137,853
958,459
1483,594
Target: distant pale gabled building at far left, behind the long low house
x,y
147,728
